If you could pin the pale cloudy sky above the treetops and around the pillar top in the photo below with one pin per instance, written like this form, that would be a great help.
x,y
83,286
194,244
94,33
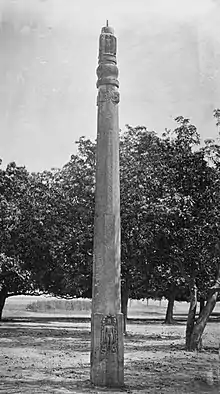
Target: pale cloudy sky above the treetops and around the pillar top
x,y
168,59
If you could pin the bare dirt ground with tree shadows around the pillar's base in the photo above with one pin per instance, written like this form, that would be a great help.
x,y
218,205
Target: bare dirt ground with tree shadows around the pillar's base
x,y
50,355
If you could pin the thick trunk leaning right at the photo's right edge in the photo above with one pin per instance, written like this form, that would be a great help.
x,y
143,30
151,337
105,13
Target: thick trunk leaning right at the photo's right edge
x,y
196,337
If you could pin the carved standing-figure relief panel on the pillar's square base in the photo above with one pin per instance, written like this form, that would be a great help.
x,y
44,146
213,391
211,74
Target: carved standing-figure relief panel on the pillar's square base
x,y
109,335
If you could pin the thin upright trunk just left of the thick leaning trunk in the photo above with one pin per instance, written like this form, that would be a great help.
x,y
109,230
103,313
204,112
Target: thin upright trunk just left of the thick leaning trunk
x,y
191,314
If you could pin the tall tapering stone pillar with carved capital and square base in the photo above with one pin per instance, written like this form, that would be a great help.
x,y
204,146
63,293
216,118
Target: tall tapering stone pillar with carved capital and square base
x,y
107,345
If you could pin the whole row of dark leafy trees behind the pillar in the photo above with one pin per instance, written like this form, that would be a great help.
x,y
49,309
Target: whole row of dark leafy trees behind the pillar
x,y
169,216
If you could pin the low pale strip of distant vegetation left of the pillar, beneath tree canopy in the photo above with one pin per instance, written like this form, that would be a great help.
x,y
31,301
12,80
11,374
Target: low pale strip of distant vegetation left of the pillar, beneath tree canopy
x,y
59,305
